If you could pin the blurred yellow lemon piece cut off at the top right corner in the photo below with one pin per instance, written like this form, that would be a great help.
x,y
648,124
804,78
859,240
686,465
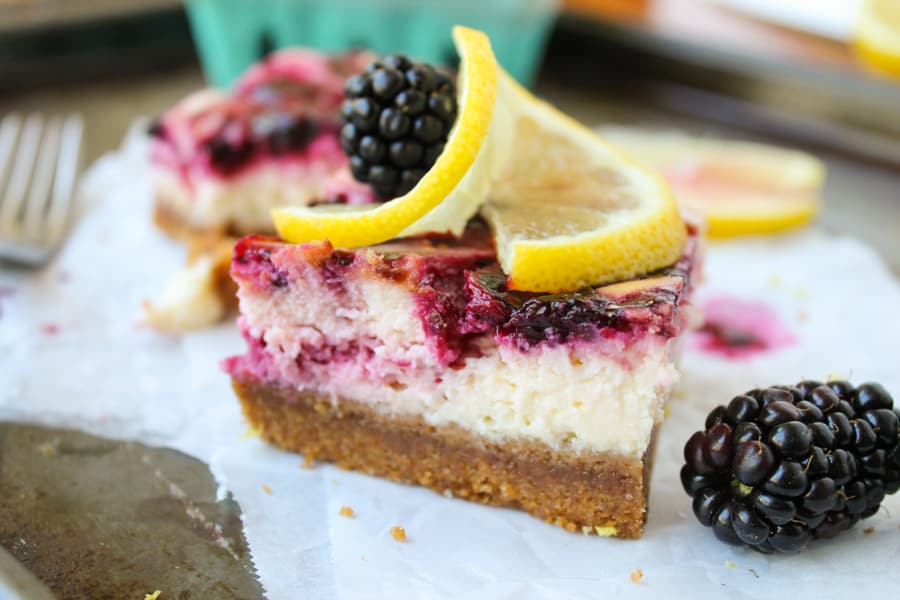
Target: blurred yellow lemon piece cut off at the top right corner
x,y
876,39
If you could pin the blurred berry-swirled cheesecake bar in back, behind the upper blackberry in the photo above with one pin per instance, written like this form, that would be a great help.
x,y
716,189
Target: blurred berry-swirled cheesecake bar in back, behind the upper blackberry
x,y
222,160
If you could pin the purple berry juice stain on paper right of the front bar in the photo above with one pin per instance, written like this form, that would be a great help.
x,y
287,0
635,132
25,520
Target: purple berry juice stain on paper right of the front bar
x,y
736,329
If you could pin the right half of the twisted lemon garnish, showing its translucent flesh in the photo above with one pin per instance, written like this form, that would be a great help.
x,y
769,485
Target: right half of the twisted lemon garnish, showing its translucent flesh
x,y
568,211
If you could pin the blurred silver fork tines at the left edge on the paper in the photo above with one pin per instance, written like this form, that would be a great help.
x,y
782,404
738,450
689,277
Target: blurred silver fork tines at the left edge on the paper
x,y
39,161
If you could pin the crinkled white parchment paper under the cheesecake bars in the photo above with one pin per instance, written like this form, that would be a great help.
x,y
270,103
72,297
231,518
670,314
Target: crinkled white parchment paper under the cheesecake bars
x,y
72,355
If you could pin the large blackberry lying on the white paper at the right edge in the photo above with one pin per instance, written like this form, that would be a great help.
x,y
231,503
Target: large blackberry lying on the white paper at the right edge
x,y
781,466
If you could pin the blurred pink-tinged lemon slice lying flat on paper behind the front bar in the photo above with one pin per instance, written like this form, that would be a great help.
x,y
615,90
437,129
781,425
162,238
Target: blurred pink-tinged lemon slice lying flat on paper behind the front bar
x,y
740,187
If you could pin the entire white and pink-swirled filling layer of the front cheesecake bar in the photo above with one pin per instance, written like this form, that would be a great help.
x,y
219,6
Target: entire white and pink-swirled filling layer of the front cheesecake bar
x,y
368,345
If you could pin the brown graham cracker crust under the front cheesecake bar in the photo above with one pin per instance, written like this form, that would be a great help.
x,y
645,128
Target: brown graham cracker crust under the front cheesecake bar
x,y
600,492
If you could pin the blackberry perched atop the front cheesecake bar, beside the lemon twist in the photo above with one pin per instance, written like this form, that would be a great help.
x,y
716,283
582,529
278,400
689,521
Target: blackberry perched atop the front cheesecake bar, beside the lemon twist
x,y
396,118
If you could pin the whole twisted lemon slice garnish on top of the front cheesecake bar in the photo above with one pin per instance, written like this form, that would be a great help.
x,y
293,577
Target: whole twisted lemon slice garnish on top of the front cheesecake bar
x,y
566,209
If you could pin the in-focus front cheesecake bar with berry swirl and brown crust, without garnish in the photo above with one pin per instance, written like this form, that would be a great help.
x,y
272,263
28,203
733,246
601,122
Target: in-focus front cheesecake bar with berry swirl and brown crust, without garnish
x,y
411,360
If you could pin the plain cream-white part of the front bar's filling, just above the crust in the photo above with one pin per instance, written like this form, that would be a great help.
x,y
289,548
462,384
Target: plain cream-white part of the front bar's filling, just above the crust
x,y
568,400
